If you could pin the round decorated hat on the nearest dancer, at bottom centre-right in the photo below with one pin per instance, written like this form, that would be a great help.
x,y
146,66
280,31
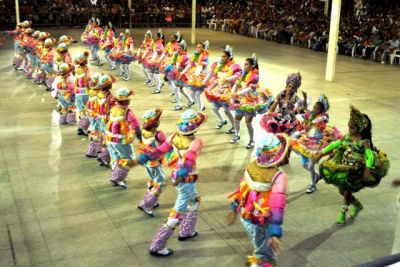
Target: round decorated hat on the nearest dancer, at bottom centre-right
x,y
271,150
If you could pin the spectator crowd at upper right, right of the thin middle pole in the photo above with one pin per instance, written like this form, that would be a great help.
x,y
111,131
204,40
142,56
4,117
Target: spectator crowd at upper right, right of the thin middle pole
x,y
369,30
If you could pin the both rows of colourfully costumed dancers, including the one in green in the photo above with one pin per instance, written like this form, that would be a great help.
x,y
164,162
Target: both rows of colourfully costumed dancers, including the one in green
x,y
289,125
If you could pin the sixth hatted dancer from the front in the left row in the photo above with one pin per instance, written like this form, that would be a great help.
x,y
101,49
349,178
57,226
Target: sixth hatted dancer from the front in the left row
x,y
82,78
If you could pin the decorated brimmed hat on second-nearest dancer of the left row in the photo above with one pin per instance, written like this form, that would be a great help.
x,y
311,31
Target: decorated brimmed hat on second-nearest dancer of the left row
x,y
190,122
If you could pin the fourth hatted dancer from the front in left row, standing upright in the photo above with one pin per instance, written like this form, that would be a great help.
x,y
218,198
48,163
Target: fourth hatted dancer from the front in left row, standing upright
x,y
121,130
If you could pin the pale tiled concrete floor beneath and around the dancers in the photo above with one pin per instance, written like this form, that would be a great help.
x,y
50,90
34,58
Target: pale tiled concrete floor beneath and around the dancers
x,y
58,209
